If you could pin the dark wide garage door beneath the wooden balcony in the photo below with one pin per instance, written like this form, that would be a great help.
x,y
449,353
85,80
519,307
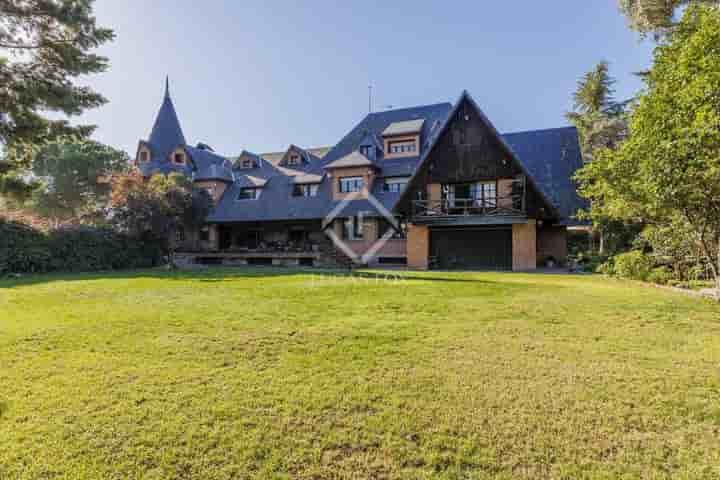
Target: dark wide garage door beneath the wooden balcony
x,y
472,248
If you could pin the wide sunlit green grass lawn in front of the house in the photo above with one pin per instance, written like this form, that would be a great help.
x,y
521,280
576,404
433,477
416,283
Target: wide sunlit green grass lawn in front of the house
x,y
284,374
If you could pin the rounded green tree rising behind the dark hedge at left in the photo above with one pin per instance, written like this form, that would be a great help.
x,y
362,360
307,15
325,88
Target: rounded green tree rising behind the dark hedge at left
x,y
74,179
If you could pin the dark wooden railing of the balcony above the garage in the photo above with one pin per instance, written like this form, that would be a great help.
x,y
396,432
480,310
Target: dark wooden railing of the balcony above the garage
x,y
462,207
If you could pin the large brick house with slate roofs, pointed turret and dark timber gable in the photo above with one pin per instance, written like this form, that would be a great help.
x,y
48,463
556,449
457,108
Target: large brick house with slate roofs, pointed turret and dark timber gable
x,y
433,186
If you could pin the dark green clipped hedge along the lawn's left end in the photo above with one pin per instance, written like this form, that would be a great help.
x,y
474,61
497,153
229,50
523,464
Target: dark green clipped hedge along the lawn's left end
x,y
24,249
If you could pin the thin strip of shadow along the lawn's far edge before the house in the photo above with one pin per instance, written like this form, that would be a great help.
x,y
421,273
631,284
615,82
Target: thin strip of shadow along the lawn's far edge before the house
x,y
221,274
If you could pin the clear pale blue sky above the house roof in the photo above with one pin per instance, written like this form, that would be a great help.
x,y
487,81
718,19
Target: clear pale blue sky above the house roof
x,y
262,74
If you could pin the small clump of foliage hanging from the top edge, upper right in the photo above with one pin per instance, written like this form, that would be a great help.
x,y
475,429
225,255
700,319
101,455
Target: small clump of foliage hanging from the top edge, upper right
x,y
656,17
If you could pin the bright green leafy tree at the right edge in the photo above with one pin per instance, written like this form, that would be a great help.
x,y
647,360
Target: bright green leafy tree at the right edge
x,y
668,170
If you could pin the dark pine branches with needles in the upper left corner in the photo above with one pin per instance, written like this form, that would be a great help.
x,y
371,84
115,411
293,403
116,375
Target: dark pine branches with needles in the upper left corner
x,y
44,46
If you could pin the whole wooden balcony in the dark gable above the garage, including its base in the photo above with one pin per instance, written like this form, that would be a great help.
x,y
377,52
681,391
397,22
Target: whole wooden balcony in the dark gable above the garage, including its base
x,y
468,211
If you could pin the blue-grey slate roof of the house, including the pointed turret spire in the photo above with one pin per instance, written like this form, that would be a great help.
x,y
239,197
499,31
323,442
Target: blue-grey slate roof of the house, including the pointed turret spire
x,y
550,157
